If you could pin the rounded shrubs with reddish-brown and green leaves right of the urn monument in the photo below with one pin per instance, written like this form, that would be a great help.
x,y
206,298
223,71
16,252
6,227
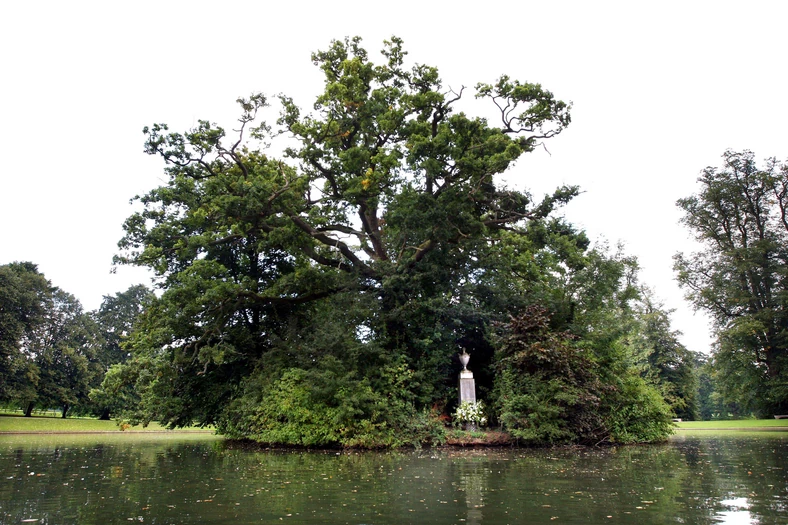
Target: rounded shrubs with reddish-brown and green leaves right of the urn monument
x,y
551,390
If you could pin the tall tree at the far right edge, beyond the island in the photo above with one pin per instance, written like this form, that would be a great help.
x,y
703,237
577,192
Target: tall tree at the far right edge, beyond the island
x,y
740,217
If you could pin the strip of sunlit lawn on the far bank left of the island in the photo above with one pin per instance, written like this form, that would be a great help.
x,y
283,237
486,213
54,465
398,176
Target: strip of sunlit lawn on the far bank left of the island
x,y
43,424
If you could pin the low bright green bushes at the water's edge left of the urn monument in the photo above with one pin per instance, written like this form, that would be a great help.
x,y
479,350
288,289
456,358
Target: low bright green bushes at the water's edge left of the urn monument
x,y
329,406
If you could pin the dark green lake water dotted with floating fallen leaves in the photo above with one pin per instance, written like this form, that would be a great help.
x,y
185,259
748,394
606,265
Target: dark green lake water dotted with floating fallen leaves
x,y
735,478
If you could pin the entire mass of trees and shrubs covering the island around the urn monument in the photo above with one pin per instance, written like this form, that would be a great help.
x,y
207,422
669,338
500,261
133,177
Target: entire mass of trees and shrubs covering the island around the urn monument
x,y
320,299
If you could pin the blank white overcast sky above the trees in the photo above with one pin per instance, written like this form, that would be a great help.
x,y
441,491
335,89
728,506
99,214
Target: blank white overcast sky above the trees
x,y
660,90
